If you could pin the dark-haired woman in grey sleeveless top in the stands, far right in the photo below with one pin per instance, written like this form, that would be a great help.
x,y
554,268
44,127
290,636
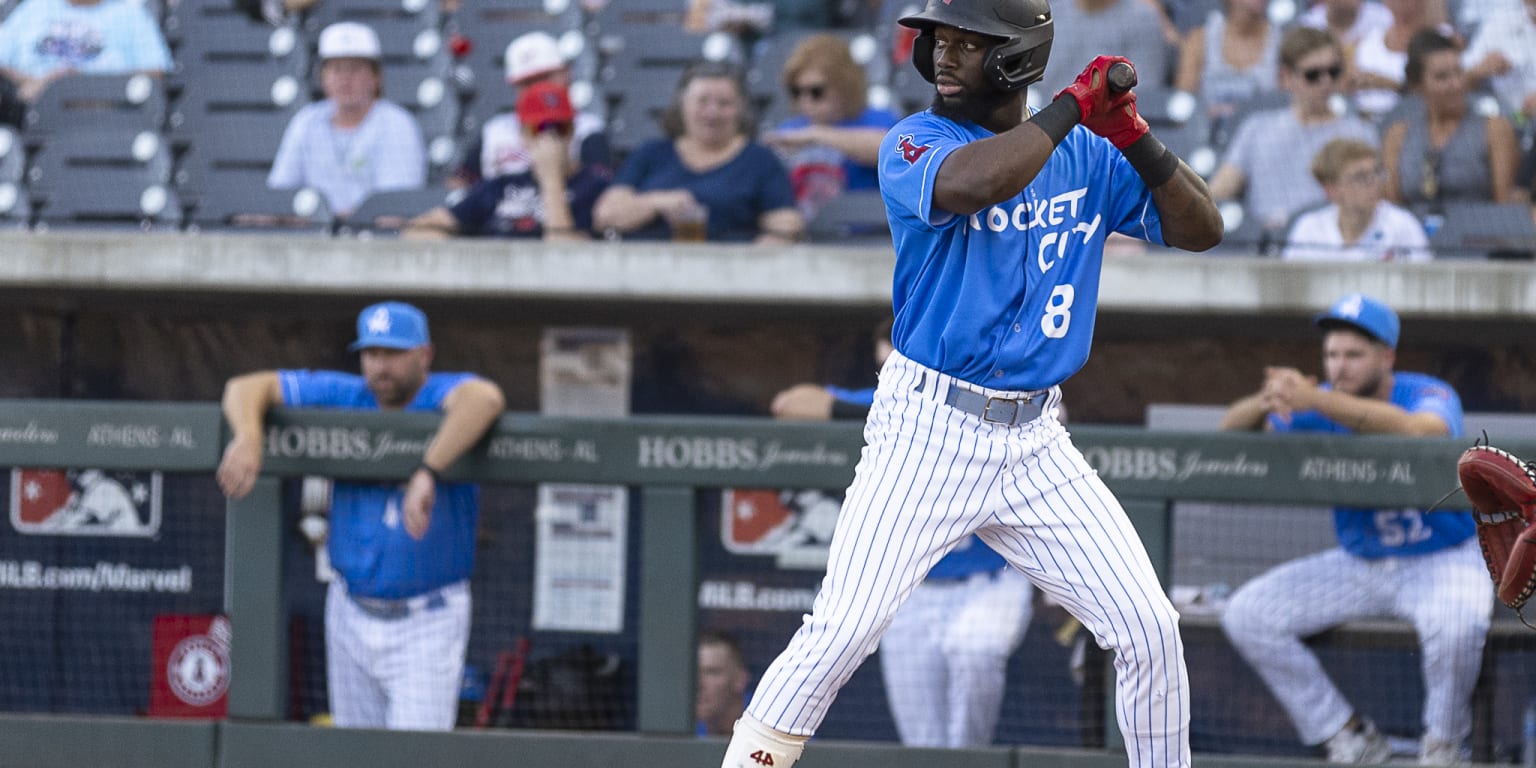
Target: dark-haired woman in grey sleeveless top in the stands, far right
x,y
1443,151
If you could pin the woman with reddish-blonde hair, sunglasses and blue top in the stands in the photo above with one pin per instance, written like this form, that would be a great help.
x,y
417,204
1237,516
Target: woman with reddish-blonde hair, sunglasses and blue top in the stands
x,y
835,141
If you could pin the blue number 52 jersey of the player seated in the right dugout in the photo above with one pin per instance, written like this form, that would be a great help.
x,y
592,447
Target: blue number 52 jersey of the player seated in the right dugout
x,y
1380,534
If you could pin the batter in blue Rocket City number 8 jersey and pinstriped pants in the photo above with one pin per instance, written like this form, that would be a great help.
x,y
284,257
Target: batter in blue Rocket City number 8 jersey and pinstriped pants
x,y
999,225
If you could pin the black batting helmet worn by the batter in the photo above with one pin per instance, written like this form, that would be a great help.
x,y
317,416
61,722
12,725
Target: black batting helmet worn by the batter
x,y
1022,27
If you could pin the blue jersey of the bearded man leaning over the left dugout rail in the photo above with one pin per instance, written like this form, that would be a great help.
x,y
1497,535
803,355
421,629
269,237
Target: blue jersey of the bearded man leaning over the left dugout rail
x,y
368,543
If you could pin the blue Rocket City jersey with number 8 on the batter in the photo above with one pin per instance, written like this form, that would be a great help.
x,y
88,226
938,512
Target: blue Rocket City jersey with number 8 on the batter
x,y
1007,297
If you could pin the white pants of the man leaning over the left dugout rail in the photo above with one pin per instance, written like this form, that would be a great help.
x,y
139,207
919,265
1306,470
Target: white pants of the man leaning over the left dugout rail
x,y
397,674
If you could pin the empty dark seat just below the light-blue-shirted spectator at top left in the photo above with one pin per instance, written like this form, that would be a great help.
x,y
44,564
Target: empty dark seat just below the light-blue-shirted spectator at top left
x,y
110,104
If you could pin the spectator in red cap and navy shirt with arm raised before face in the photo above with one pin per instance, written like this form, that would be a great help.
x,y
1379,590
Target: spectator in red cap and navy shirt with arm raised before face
x,y
551,200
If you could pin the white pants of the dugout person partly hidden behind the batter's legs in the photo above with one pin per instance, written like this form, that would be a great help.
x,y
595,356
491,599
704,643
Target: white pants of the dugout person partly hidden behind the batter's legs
x,y
945,657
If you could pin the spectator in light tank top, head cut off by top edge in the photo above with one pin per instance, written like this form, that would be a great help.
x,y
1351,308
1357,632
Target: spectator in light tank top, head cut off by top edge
x,y
1233,59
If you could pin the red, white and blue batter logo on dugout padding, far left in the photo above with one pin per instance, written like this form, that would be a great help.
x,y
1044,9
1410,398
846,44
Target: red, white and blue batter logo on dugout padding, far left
x,y
85,503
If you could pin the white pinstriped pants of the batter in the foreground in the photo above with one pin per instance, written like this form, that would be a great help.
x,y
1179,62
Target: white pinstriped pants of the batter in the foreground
x,y
932,475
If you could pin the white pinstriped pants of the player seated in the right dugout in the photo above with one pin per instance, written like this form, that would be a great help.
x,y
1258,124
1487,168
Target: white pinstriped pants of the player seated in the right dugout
x,y
1446,595
